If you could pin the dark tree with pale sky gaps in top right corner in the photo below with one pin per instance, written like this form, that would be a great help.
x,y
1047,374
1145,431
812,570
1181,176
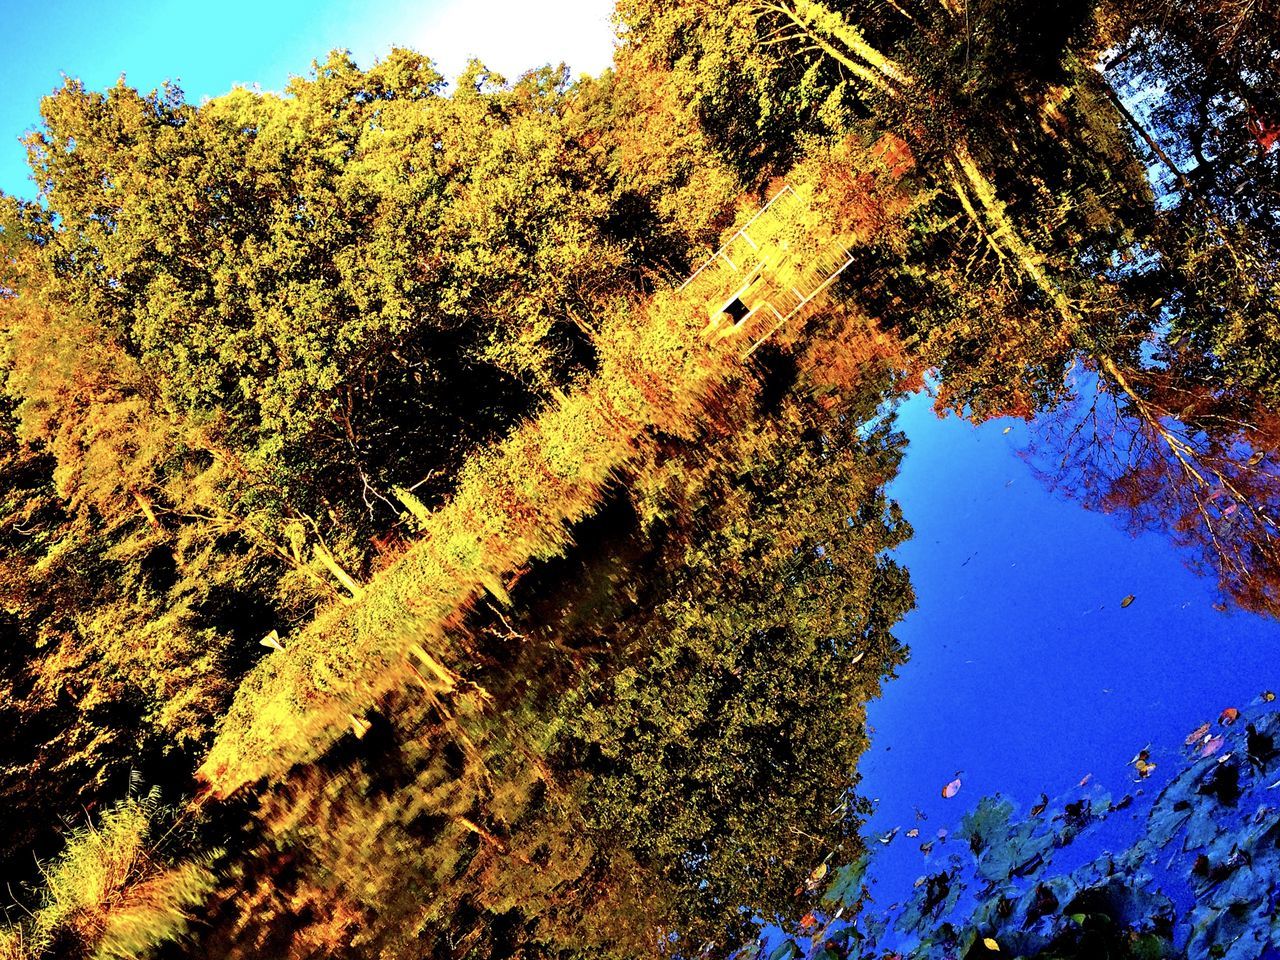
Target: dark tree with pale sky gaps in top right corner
x,y
1208,71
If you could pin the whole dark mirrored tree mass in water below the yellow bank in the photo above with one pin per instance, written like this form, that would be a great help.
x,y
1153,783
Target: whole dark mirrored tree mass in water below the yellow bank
x,y
678,707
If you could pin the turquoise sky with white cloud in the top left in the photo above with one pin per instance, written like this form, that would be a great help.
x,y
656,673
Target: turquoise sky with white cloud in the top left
x,y
211,48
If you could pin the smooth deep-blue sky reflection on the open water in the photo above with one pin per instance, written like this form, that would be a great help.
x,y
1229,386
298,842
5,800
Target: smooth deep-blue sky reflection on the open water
x,y
1026,673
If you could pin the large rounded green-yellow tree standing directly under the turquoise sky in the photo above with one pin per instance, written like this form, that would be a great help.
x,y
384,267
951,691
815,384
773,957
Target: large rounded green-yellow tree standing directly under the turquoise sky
x,y
346,289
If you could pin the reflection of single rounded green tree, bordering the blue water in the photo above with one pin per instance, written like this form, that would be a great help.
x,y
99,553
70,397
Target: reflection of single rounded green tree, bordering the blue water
x,y
724,748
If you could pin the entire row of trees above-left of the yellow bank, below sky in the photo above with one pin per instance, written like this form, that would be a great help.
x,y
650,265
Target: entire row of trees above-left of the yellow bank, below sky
x,y
235,331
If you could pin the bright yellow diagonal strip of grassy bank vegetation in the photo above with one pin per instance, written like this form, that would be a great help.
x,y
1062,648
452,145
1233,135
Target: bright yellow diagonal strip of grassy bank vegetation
x,y
515,502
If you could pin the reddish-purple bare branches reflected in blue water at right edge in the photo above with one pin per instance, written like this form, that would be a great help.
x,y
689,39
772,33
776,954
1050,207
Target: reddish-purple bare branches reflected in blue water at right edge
x,y
1165,450
